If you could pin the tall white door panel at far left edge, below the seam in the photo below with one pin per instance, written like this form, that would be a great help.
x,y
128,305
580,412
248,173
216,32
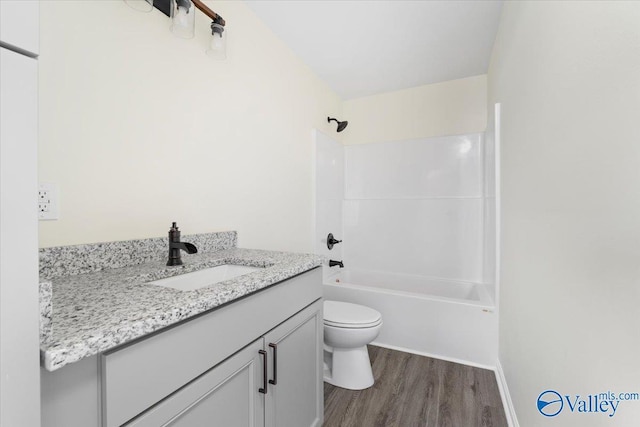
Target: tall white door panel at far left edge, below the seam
x,y
19,309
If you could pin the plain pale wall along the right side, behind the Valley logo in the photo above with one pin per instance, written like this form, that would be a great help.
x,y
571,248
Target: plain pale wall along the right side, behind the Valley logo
x,y
568,77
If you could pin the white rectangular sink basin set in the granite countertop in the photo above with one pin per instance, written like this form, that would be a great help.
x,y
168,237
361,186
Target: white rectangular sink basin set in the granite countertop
x,y
206,277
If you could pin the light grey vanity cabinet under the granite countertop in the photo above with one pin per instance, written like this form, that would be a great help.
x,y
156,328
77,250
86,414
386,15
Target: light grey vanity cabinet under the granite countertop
x,y
256,362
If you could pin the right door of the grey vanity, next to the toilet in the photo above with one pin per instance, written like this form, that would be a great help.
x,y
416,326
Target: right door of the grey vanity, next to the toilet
x,y
296,398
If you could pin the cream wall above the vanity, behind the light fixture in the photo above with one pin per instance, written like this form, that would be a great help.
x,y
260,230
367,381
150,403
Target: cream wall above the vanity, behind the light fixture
x,y
139,128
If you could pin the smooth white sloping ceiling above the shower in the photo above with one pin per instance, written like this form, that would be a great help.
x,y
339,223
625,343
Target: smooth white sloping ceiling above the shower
x,y
366,47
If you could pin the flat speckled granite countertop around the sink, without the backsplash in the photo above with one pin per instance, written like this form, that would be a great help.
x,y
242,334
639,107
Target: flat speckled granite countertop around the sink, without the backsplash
x,y
96,311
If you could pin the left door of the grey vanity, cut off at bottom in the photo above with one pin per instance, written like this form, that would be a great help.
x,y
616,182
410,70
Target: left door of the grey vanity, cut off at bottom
x,y
225,396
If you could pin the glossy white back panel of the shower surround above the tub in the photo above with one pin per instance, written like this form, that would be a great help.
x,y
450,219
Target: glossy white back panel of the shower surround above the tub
x,y
415,207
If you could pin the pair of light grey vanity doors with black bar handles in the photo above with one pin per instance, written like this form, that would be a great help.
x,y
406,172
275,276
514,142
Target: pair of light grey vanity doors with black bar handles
x,y
271,382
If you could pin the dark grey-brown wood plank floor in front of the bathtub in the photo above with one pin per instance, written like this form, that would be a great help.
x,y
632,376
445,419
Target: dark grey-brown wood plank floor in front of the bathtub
x,y
412,390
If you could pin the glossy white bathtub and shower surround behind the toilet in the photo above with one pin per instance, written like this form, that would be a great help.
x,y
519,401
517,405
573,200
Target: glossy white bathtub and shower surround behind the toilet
x,y
416,220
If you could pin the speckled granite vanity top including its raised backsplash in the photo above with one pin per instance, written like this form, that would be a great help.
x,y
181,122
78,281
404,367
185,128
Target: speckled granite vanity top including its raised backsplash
x,y
98,310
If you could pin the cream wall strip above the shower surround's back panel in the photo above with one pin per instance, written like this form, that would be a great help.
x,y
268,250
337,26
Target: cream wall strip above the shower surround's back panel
x,y
450,108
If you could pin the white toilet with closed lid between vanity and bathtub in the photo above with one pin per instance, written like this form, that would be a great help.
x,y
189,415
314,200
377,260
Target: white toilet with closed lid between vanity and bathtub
x,y
348,328
